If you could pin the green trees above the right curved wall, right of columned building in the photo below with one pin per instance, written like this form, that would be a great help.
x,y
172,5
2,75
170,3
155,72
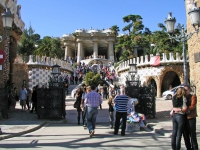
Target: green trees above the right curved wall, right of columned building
x,y
136,37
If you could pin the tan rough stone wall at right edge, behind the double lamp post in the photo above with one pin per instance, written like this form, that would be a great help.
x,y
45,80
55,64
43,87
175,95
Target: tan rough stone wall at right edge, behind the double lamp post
x,y
194,47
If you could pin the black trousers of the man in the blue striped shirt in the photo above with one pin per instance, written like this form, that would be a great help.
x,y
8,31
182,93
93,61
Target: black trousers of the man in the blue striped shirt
x,y
120,115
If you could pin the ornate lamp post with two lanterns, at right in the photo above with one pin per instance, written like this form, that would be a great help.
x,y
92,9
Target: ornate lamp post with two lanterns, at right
x,y
194,14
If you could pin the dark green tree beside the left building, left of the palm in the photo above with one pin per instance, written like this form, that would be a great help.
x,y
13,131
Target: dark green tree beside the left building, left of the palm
x,y
28,41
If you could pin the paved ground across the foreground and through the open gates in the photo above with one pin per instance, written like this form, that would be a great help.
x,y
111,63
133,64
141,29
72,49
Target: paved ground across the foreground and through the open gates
x,y
66,134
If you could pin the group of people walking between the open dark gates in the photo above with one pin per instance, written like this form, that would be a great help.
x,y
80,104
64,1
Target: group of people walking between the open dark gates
x,y
90,98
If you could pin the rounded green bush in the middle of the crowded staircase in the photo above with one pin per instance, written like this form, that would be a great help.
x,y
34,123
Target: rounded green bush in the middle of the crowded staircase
x,y
92,79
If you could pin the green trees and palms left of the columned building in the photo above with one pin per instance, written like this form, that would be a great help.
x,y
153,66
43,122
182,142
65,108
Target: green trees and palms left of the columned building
x,y
48,46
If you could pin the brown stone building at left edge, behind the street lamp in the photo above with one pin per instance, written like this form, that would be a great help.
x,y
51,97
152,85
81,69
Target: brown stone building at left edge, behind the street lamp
x,y
9,45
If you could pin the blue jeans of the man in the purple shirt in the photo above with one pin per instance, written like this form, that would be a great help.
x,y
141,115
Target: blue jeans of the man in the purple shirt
x,y
91,117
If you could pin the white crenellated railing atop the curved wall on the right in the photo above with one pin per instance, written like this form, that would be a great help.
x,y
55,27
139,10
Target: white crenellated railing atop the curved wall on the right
x,y
143,61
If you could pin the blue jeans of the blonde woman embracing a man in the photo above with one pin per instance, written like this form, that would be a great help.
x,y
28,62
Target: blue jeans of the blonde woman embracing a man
x,y
178,126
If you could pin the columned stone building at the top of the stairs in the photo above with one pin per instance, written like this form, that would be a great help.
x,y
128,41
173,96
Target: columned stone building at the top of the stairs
x,y
89,44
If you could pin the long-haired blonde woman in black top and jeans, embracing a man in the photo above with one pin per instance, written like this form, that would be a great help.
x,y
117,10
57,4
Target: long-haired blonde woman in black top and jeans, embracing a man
x,y
179,106
